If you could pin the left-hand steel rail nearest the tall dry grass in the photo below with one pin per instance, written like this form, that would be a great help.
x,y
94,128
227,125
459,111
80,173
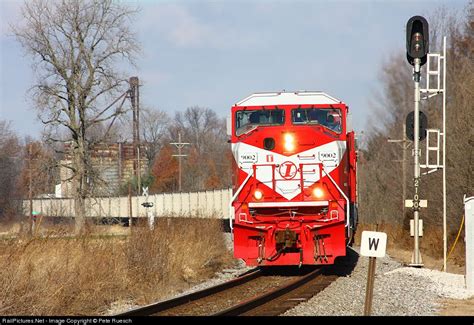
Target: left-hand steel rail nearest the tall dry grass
x,y
181,300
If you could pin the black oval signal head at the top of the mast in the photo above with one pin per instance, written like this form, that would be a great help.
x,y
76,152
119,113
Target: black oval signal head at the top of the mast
x,y
417,39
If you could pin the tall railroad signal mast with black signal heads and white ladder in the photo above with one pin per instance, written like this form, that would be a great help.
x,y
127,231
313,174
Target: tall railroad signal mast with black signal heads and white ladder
x,y
417,44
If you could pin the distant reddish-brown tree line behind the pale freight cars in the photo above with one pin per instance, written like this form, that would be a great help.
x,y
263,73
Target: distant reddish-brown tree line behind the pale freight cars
x,y
32,166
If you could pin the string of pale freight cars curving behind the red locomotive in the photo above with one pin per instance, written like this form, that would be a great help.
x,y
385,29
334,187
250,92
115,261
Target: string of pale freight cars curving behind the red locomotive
x,y
205,204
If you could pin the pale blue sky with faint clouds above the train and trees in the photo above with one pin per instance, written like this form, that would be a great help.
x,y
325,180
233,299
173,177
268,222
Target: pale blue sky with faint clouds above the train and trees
x,y
215,53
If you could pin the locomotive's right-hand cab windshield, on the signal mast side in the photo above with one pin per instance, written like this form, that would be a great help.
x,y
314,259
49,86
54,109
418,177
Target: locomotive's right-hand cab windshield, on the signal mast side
x,y
328,117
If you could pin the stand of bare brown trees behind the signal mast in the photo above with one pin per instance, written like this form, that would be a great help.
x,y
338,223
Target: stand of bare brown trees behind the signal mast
x,y
380,182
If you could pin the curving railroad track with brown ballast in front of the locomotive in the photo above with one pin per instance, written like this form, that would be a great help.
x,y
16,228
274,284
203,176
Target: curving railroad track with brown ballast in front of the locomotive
x,y
255,293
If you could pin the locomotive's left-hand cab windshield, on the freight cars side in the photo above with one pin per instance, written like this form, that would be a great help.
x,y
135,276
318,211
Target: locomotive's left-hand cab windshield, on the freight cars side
x,y
248,120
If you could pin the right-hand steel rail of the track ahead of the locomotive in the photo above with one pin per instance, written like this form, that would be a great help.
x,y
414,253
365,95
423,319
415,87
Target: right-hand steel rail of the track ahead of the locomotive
x,y
269,296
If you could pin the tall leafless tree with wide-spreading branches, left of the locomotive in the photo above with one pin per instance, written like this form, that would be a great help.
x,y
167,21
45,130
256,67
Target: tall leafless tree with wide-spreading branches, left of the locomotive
x,y
76,47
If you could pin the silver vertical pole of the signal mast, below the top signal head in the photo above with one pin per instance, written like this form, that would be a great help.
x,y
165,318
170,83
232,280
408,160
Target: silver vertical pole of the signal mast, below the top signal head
x,y
416,179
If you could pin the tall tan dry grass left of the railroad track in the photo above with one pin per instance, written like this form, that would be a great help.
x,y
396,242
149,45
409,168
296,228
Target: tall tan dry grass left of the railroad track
x,y
58,275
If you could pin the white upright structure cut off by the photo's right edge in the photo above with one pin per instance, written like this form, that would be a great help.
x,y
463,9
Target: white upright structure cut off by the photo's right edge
x,y
469,231
